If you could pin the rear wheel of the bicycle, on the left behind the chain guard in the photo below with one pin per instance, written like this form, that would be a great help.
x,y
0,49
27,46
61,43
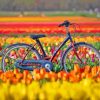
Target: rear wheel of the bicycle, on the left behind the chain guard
x,y
18,52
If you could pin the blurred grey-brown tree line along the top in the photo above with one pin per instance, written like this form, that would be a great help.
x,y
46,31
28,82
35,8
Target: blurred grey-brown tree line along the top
x,y
49,5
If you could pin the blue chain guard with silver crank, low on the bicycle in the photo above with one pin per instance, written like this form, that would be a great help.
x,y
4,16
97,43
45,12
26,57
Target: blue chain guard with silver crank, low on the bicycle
x,y
32,64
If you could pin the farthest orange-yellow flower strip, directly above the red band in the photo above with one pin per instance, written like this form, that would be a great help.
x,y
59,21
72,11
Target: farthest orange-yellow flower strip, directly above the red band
x,y
49,19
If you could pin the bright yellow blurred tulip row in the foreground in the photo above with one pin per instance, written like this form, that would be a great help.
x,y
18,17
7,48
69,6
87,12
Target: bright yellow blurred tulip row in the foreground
x,y
86,89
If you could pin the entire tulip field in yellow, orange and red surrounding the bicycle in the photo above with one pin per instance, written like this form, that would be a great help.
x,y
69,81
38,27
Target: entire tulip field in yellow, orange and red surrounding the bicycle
x,y
39,84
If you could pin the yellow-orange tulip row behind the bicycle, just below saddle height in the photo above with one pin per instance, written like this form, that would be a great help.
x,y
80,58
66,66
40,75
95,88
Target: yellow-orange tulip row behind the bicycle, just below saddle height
x,y
46,40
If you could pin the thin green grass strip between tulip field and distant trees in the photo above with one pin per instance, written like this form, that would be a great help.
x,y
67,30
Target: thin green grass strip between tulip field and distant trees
x,y
50,13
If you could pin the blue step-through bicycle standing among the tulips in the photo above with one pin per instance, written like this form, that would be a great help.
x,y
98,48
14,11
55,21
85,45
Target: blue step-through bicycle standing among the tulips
x,y
27,57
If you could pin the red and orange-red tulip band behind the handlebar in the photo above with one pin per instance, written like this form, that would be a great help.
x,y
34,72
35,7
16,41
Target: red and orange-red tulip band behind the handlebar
x,y
47,28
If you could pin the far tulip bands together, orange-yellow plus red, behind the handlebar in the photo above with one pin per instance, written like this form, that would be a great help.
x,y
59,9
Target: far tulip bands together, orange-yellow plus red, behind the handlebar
x,y
47,25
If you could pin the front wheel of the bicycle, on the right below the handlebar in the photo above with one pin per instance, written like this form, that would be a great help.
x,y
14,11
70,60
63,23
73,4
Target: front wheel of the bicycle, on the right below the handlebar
x,y
87,54
